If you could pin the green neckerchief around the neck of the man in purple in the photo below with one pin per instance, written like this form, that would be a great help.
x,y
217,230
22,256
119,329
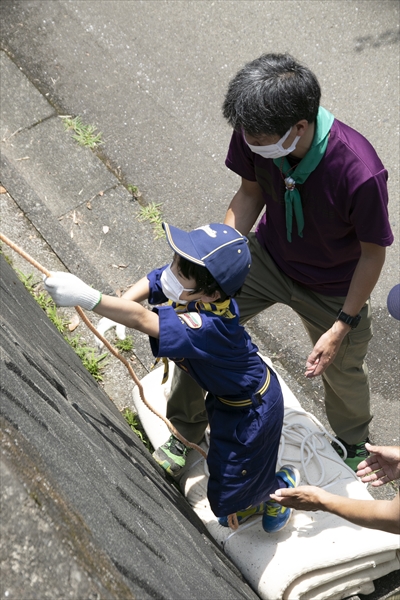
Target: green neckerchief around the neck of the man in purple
x,y
307,165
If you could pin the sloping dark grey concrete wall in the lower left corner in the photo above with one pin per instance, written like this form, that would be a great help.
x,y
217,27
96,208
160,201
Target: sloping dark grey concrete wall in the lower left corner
x,y
86,511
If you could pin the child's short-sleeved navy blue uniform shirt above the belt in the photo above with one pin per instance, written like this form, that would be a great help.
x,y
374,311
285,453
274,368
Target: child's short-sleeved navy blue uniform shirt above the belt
x,y
215,350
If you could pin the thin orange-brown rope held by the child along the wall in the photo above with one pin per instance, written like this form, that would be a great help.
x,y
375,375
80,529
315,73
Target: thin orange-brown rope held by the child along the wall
x,y
113,350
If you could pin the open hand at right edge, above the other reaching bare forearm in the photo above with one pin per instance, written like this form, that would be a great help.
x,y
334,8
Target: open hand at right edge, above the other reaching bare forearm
x,y
382,466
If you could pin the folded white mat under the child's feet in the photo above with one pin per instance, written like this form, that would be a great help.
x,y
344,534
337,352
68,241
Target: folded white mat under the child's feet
x,y
317,555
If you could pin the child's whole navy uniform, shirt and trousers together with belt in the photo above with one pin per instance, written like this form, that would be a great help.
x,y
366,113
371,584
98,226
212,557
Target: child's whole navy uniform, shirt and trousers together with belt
x,y
244,401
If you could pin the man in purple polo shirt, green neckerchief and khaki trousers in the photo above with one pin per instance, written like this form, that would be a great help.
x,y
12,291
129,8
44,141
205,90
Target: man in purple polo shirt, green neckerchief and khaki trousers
x,y
320,244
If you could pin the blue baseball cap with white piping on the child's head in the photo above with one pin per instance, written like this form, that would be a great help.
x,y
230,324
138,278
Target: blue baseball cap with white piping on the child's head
x,y
220,248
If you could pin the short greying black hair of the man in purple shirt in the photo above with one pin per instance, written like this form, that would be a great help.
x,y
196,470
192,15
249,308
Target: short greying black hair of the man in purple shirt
x,y
271,94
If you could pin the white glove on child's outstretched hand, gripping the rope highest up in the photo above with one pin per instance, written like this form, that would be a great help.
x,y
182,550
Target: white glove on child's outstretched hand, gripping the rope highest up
x,y
68,290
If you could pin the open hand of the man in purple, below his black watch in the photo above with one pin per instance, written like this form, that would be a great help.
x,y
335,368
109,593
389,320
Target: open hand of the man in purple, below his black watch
x,y
325,349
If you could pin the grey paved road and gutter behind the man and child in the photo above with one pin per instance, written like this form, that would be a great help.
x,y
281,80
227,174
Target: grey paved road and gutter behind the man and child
x,y
151,77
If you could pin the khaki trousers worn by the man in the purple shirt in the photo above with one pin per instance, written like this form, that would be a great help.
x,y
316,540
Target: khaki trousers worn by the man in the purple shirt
x,y
347,399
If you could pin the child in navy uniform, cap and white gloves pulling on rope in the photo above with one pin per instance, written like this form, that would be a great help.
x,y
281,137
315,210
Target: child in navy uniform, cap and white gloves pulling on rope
x,y
195,323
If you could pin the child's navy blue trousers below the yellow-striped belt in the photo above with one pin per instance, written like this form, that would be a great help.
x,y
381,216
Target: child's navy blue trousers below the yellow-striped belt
x,y
243,451
